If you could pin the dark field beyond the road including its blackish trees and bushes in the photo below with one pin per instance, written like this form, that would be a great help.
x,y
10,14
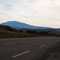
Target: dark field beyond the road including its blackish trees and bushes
x,y
8,32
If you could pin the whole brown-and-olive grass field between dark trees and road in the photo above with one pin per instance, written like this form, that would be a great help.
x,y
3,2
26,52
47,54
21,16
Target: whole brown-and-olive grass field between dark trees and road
x,y
11,34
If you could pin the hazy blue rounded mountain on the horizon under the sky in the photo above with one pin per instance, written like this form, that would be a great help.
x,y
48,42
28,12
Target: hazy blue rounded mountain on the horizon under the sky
x,y
19,25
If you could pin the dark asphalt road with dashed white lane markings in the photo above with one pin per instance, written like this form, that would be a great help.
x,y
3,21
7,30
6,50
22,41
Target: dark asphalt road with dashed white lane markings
x,y
25,48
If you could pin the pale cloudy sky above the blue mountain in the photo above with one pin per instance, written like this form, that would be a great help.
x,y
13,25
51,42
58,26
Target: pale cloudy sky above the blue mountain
x,y
34,12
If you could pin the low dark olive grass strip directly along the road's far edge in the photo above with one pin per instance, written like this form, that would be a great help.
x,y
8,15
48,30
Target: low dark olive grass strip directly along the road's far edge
x,y
21,35
